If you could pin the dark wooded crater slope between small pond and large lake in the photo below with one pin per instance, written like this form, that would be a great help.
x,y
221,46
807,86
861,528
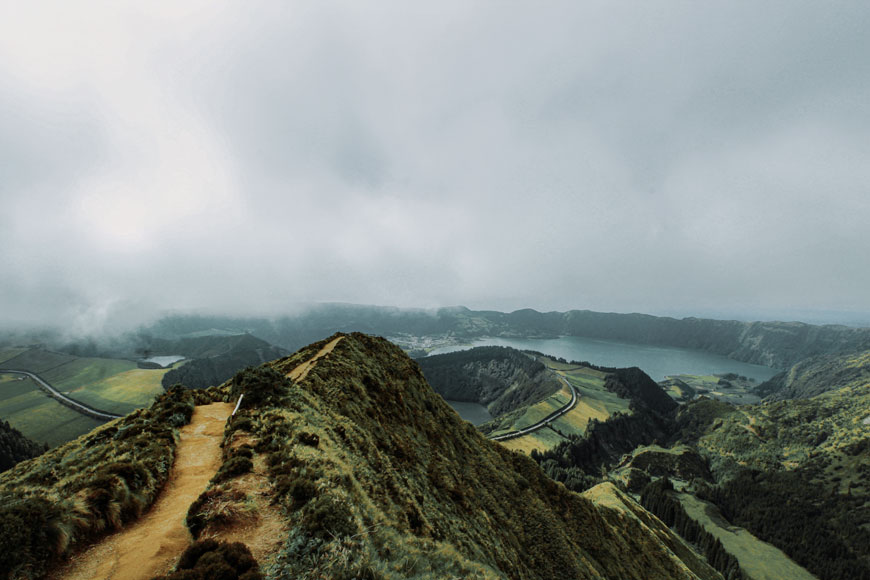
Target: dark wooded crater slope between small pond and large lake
x,y
503,379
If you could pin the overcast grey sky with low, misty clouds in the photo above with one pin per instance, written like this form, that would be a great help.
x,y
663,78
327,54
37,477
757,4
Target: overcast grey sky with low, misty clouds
x,y
664,157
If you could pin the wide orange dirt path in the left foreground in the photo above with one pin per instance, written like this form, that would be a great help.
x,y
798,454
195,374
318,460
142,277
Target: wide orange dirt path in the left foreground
x,y
152,545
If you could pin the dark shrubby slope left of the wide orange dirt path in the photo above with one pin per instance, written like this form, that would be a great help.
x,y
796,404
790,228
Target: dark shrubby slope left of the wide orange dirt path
x,y
90,486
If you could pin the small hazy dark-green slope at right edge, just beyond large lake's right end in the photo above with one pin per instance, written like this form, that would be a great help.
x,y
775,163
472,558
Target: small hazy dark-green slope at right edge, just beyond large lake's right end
x,y
817,375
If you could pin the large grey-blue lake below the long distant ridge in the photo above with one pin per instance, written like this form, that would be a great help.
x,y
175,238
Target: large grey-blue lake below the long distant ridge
x,y
656,361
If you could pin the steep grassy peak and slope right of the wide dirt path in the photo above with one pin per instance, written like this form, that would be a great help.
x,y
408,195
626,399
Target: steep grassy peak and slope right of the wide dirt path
x,y
381,479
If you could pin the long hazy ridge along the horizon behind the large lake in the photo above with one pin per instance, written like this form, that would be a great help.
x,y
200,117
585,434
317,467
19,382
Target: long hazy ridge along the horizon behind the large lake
x,y
775,344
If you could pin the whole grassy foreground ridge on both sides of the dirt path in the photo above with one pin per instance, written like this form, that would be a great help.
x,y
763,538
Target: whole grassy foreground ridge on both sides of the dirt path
x,y
358,468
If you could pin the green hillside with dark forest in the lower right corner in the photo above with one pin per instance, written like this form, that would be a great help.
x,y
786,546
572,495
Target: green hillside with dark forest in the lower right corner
x,y
795,474
